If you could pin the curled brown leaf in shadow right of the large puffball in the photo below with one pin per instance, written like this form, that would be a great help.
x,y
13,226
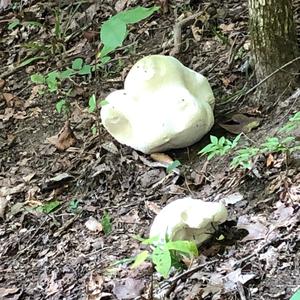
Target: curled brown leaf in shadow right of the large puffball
x,y
241,123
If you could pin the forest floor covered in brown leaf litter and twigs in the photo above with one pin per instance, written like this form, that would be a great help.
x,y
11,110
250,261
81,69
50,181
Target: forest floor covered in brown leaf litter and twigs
x,y
47,195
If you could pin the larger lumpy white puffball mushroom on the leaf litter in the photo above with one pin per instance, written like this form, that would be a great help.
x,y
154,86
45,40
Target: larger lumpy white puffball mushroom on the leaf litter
x,y
164,105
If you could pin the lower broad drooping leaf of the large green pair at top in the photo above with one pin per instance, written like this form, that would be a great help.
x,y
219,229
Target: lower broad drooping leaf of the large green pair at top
x,y
112,35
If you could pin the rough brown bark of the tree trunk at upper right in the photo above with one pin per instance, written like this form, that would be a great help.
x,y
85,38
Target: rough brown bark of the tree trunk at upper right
x,y
273,41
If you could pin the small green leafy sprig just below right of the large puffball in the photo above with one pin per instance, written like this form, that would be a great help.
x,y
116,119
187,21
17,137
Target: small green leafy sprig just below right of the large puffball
x,y
219,147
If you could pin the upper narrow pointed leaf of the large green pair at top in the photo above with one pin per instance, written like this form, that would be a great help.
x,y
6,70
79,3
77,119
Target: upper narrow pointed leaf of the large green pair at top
x,y
132,16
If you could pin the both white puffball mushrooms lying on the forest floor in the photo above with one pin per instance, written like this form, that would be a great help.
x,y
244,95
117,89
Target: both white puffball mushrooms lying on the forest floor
x,y
165,105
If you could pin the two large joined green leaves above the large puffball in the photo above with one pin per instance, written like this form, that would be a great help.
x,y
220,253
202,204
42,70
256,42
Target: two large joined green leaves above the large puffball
x,y
114,31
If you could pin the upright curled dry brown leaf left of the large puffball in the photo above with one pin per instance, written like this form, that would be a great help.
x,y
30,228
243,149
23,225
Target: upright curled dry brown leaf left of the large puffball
x,y
64,139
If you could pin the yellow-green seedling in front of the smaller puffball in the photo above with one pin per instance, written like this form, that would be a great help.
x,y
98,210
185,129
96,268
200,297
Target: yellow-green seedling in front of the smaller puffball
x,y
166,255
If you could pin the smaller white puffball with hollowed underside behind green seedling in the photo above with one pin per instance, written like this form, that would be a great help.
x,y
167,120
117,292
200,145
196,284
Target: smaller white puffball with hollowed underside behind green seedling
x,y
188,219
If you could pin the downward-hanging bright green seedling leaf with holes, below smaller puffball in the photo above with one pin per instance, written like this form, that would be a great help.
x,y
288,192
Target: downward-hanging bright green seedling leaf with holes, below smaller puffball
x,y
161,258
